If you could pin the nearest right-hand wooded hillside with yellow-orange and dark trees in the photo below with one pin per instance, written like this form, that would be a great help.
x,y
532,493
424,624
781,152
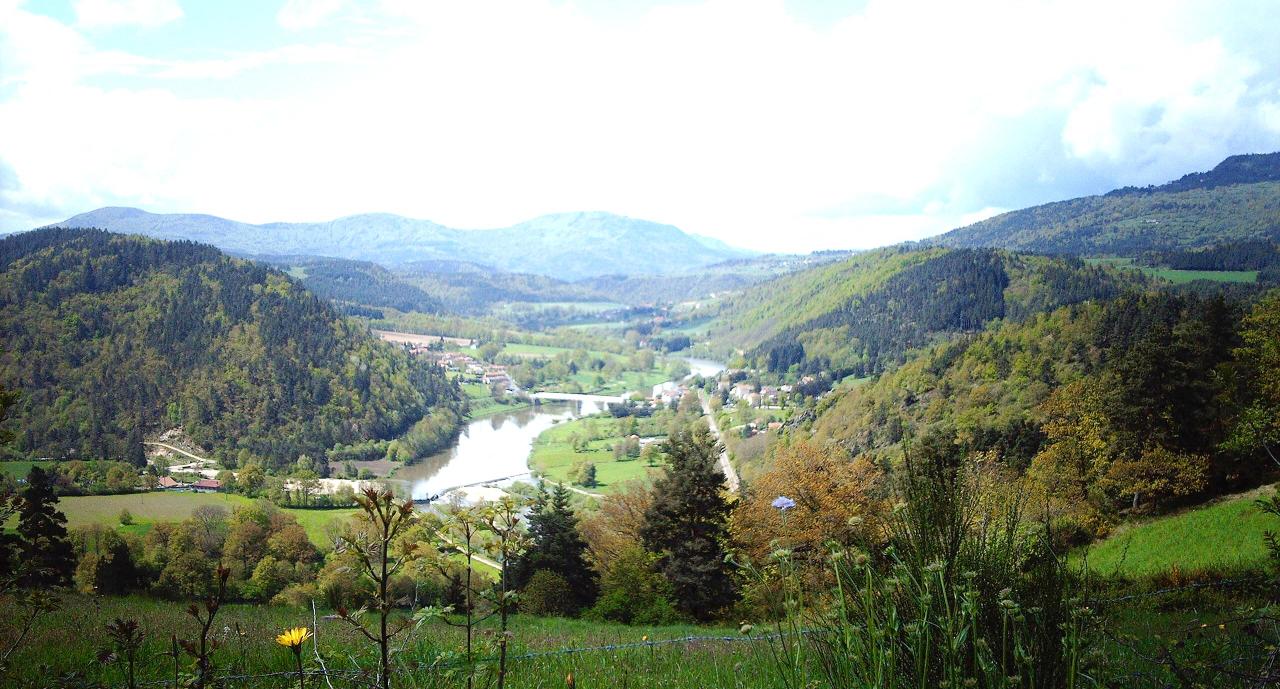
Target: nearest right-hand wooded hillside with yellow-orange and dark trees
x,y
1149,400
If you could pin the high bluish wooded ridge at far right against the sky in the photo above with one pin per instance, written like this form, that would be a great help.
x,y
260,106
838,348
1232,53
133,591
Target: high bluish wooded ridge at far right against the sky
x,y
1238,200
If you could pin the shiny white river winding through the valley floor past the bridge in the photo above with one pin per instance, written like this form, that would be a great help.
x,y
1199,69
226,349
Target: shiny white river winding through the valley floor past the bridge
x,y
496,449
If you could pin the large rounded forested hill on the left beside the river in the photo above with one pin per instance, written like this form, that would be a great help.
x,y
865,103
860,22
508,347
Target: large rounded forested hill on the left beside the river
x,y
112,337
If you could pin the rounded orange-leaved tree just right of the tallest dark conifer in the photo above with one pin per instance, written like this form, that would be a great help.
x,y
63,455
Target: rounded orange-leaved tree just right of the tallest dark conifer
x,y
836,500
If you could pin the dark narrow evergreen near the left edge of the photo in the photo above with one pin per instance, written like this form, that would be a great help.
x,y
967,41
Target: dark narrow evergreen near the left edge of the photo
x,y
48,559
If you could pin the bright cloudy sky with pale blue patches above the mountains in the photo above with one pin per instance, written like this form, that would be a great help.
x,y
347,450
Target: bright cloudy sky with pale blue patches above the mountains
x,y
772,125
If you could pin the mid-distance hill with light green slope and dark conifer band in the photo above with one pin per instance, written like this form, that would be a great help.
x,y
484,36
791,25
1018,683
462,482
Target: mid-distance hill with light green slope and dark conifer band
x,y
863,316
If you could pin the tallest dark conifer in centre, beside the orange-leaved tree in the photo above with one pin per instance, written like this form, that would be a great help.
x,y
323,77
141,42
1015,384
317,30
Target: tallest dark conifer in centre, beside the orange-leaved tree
x,y
687,526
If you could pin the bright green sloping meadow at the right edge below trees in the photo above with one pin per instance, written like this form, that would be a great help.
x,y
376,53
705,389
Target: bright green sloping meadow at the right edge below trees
x,y
1226,535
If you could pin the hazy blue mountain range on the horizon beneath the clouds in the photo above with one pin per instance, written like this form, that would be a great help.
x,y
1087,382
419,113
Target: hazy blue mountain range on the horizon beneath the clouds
x,y
568,247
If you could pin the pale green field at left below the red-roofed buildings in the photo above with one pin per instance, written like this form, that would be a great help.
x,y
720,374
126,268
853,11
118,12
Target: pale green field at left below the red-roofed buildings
x,y
149,509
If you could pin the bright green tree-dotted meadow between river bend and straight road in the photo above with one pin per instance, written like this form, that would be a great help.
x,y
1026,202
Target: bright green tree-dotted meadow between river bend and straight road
x,y
554,457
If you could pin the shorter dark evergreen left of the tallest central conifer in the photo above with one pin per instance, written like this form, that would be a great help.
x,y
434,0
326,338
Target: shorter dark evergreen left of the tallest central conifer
x,y
559,547
